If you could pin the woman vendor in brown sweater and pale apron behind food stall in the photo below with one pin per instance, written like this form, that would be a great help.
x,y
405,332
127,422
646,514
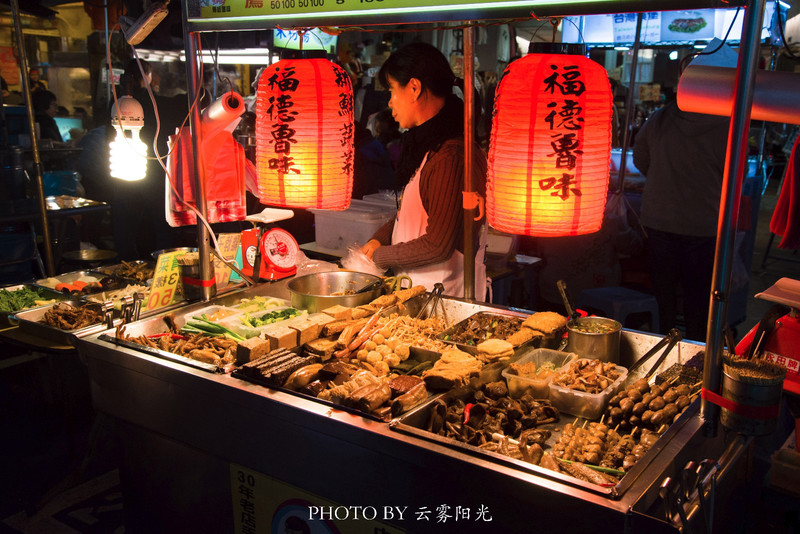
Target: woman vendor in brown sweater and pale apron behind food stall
x,y
426,240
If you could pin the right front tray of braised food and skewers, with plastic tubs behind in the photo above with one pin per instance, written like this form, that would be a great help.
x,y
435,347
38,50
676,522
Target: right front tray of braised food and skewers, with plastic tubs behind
x,y
556,426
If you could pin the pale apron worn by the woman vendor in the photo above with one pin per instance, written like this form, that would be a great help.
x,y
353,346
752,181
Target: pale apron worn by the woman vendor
x,y
412,220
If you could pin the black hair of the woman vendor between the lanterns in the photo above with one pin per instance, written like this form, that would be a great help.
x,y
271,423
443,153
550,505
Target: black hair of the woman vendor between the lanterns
x,y
421,61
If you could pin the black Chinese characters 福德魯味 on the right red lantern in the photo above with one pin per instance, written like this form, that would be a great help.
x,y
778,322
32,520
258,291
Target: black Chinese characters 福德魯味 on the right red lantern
x,y
565,121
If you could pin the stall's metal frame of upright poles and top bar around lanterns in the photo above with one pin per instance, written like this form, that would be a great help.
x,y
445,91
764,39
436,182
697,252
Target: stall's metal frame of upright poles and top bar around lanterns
x,y
735,165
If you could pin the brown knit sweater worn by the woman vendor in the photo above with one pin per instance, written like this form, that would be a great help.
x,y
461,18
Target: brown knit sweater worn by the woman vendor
x,y
441,186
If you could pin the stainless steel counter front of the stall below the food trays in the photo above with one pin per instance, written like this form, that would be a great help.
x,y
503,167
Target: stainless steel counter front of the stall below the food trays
x,y
186,435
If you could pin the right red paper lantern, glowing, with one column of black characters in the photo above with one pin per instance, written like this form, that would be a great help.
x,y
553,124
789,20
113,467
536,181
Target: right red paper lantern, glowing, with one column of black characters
x,y
550,147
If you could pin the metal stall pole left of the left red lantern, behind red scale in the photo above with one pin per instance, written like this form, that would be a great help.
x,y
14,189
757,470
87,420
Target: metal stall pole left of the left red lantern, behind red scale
x,y
193,82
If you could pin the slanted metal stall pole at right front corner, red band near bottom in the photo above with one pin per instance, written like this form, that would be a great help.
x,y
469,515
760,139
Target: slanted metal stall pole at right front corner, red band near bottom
x,y
735,167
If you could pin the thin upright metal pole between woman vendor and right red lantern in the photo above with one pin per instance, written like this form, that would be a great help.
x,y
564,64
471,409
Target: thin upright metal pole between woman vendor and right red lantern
x,y
469,247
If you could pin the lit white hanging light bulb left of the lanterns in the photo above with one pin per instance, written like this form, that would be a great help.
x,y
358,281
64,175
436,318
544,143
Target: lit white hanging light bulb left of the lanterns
x,y
127,153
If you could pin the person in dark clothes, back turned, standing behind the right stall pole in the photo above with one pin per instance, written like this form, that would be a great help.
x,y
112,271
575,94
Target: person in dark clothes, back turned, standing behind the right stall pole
x,y
682,156
